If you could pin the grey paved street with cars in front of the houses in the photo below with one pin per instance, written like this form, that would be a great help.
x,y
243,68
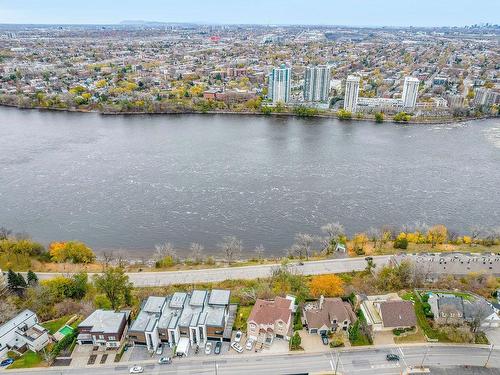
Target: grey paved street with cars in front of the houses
x,y
350,361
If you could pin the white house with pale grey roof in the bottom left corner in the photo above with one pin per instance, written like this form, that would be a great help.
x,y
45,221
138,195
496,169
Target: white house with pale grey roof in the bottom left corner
x,y
23,333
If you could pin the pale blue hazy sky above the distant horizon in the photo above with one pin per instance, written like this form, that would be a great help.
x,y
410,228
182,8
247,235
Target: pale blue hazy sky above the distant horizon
x,y
331,12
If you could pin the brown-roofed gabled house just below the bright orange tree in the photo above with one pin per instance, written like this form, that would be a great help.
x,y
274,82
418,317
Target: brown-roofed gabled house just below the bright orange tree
x,y
328,315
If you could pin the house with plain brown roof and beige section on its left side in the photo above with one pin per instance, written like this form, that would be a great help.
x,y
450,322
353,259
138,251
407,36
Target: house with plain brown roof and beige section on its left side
x,y
389,311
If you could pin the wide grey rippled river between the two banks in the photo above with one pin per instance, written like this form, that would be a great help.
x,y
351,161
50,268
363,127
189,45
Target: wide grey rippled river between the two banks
x,y
118,182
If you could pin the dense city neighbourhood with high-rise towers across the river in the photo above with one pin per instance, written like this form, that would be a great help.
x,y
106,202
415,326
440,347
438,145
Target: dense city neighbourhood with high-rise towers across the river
x,y
400,74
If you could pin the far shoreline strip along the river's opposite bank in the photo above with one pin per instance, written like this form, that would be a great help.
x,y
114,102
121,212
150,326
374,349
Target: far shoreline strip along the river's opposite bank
x,y
436,121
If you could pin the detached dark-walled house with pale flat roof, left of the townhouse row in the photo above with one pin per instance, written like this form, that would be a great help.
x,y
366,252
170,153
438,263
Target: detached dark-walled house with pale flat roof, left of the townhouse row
x,y
103,328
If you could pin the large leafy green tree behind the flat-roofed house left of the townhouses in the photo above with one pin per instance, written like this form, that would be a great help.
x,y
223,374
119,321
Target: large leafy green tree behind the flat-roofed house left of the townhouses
x,y
115,284
